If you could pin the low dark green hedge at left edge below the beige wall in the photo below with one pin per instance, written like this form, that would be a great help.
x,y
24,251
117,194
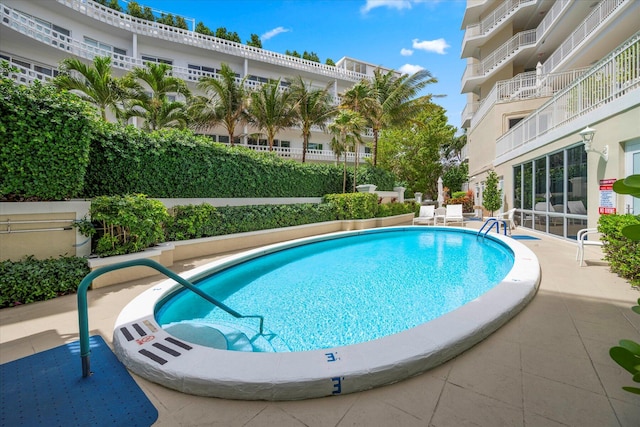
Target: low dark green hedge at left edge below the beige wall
x,y
30,280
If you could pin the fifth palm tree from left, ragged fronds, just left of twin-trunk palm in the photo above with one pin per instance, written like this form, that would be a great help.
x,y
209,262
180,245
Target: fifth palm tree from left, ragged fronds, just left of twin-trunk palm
x,y
314,108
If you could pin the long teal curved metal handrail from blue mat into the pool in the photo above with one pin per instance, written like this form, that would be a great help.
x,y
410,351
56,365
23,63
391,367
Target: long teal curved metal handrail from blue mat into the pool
x,y
83,317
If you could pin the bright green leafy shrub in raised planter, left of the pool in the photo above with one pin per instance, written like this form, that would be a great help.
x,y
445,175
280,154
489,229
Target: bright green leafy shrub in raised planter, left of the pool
x,y
127,224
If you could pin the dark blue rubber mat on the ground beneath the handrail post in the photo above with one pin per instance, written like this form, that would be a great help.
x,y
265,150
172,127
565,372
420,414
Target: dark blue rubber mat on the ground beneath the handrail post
x,y
47,389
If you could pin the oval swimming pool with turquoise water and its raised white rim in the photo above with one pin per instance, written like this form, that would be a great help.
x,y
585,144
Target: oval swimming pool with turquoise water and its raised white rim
x,y
343,312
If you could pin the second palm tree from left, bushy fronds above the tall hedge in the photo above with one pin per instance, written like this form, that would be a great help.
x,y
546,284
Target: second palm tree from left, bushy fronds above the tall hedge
x,y
151,101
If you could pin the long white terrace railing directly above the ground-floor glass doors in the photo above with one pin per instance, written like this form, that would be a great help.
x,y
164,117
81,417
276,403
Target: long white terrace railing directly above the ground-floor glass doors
x,y
613,77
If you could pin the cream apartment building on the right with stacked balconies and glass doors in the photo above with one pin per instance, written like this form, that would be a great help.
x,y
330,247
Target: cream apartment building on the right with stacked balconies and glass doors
x,y
538,73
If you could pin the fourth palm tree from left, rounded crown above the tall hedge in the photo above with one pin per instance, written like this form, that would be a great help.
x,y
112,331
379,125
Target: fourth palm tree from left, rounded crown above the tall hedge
x,y
271,109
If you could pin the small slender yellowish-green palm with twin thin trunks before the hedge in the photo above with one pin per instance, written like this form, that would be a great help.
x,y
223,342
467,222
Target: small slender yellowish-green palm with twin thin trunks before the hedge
x,y
346,130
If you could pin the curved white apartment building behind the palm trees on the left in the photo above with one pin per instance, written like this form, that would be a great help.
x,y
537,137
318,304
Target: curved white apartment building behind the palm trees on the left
x,y
35,35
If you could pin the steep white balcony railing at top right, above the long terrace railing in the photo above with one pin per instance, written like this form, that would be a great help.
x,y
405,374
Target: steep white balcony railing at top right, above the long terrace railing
x,y
599,14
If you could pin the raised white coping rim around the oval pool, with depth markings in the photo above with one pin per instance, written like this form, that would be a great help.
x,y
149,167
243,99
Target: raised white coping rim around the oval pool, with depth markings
x,y
188,367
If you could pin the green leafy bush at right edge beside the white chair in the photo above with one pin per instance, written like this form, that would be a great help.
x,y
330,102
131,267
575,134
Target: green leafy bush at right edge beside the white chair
x,y
622,253
